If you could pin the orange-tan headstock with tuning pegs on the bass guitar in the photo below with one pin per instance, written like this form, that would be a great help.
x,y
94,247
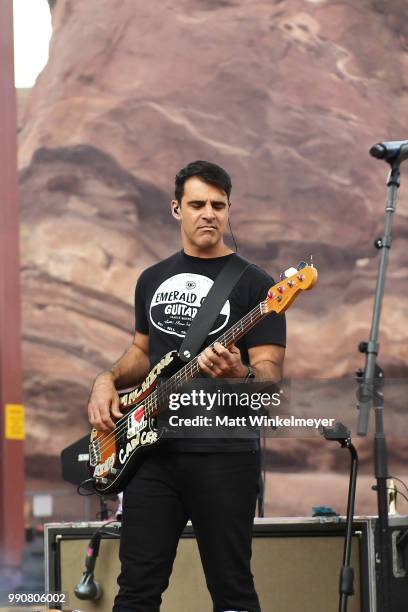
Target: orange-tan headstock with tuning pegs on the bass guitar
x,y
281,295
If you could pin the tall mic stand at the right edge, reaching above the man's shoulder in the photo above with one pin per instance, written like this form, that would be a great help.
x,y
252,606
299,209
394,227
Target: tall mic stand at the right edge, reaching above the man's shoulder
x,y
369,392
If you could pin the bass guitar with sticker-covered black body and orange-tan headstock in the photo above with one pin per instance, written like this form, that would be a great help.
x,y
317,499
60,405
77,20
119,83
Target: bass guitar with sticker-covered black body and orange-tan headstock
x,y
113,456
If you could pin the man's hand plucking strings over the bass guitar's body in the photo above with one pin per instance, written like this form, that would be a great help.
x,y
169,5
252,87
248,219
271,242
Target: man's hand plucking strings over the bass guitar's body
x,y
104,403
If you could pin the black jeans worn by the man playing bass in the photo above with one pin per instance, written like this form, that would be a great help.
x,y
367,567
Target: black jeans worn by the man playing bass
x,y
217,491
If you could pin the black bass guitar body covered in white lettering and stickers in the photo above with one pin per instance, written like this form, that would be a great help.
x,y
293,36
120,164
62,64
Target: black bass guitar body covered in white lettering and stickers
x,y
115,456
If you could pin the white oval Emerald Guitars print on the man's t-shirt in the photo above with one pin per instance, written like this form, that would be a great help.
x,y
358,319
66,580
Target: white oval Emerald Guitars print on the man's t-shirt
x,y
177,300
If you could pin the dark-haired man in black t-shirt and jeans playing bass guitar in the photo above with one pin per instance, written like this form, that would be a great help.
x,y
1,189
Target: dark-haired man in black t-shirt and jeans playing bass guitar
x,y
213,482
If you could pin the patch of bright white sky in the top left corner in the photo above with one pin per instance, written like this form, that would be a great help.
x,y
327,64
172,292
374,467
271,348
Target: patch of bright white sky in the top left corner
x,y
32,33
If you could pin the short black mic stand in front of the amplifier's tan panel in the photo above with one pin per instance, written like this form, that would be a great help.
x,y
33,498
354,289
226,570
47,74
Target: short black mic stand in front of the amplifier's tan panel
x,y
342,435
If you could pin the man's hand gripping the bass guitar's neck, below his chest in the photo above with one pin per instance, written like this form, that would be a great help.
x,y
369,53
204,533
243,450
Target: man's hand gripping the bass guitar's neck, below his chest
x,y
221,362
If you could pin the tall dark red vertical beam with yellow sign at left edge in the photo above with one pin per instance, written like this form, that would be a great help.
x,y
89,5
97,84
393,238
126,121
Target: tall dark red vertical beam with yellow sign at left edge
x,y
11,446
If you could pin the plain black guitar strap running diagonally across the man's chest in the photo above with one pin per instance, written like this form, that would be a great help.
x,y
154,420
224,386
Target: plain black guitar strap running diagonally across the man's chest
x,y
202,323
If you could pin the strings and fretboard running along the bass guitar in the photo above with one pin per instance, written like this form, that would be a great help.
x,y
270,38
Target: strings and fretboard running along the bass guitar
x,y
184,374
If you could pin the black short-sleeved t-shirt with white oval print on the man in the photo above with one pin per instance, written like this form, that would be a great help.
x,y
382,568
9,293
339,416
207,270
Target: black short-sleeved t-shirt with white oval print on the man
x,y
169,294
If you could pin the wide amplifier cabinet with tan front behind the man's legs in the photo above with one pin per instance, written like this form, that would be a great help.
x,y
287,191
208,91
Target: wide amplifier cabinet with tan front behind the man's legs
x,y
296,564
